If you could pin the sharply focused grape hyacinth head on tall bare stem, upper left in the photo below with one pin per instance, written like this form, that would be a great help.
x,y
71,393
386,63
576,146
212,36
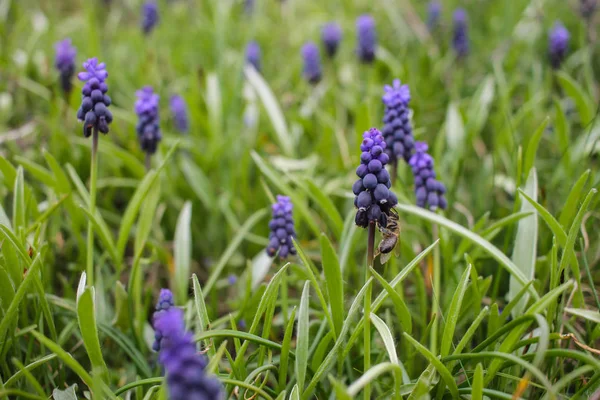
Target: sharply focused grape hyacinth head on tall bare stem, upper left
x,y
94,103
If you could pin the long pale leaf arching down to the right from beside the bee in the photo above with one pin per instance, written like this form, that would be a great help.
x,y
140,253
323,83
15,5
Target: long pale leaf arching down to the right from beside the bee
x,y
504,261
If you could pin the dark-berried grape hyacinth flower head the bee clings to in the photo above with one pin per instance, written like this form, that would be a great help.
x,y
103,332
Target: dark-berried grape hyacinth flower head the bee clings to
x,y
373,197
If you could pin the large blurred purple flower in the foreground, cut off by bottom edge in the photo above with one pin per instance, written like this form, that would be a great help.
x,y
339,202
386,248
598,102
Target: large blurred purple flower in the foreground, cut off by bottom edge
x,y
185,368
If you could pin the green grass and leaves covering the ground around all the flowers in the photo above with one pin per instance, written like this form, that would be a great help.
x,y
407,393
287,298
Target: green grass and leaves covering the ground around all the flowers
x,y
495,297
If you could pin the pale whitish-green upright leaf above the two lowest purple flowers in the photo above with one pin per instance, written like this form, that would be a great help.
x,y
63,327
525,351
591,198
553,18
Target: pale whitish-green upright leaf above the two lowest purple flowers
x,y
183,253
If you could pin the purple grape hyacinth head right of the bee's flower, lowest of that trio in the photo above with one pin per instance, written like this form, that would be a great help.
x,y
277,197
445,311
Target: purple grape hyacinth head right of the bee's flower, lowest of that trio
x,y
429,191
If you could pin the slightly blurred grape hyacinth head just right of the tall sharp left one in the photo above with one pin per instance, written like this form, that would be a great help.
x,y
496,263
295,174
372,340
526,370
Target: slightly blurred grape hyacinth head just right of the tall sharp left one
x,y
148,129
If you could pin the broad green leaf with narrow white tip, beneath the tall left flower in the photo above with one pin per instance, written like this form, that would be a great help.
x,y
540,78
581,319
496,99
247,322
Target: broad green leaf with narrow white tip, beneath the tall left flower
x,y
86,316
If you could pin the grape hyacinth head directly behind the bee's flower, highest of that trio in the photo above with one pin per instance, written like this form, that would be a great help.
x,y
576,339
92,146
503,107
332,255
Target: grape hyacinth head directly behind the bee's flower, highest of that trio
x,y
397,130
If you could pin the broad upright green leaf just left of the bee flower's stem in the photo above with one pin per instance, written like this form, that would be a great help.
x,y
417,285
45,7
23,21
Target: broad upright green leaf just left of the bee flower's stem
x,y
335,283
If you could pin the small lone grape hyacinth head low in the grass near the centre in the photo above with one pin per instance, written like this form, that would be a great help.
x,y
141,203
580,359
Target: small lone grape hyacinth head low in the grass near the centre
x,y
282,229
